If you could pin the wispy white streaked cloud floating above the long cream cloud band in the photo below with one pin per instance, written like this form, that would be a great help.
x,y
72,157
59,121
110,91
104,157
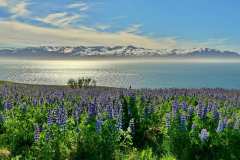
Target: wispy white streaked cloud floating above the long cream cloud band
x,y
60,19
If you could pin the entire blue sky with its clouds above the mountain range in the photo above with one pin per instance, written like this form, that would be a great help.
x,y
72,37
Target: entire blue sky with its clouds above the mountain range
x,y
154,24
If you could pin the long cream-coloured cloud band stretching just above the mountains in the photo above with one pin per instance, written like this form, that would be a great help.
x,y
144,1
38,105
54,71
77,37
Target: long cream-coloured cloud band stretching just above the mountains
x,y
13,33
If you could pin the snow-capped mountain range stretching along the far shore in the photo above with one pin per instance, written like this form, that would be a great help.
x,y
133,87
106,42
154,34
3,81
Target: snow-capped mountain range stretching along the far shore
x,y
112,51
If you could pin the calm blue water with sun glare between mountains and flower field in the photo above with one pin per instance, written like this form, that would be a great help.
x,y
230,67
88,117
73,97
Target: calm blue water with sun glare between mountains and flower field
x,y
122,73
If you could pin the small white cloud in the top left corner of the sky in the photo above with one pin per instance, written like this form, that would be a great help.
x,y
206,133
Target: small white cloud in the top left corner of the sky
x,y
17,9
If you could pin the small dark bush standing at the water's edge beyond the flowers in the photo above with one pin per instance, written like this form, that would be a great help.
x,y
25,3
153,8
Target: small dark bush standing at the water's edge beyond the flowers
x,y
81,82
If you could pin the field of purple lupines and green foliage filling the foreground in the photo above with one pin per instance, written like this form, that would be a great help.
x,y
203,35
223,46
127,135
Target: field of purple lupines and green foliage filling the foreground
x,y
54,122
